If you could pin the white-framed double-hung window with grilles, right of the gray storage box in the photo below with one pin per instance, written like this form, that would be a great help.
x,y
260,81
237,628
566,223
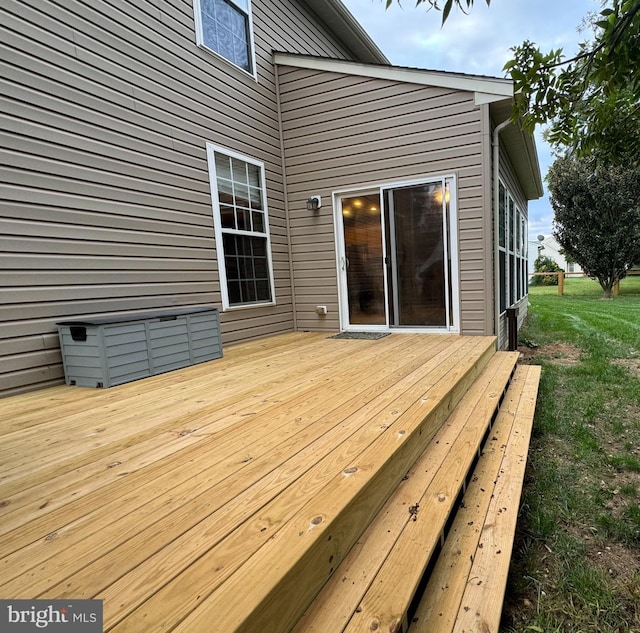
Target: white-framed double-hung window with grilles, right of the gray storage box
x,y
241,226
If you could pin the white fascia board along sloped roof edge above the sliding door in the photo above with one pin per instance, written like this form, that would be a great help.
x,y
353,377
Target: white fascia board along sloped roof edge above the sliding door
x,y
488,88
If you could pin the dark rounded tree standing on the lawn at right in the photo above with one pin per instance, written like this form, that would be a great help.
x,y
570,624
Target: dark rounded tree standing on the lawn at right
x,y
597,216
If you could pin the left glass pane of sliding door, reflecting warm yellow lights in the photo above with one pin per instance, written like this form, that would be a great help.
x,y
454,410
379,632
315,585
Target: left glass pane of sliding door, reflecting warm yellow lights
x,y
364,259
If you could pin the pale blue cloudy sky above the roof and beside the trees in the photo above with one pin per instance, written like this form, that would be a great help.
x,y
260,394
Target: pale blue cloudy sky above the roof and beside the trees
x,y
477,43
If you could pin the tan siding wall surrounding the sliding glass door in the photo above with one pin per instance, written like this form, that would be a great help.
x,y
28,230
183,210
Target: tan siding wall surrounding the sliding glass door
x,y
342,131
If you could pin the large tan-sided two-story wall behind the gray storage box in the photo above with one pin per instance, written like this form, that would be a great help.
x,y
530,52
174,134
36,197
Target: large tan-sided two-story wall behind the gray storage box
x,y
106,208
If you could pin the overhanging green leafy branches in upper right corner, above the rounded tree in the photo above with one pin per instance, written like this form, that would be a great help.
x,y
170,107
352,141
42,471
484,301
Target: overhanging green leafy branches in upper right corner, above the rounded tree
x,y
591,100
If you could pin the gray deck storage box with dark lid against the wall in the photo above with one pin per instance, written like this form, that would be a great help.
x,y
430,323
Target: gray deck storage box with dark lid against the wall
x,y
112,351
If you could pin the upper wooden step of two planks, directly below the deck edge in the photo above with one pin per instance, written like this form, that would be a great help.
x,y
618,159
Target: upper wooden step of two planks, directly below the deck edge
x,y
398,545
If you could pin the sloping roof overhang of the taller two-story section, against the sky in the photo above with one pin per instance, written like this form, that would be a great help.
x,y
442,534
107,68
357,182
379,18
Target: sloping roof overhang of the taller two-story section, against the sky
x,y
340,21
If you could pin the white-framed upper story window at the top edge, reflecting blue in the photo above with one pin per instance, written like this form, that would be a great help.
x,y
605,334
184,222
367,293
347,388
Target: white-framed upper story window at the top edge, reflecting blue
x,y
224,27
